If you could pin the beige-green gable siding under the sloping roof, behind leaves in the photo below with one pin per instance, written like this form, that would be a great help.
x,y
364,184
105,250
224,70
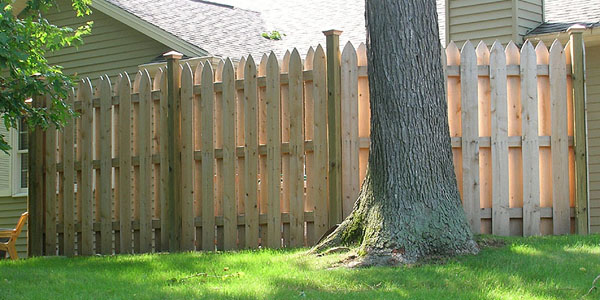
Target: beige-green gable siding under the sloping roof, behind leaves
x,y
111,48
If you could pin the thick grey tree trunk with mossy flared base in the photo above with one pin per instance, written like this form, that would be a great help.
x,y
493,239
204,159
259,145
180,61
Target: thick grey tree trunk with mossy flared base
x,y
409,206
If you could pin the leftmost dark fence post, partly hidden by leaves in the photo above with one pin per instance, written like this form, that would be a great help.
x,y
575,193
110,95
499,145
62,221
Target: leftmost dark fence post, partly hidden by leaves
x,y
35,199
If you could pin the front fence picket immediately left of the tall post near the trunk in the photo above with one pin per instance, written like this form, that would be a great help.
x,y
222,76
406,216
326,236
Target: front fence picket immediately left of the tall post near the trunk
x,y
320,166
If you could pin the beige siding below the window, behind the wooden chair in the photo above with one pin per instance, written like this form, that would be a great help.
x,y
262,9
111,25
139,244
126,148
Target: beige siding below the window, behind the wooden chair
x,y
11,209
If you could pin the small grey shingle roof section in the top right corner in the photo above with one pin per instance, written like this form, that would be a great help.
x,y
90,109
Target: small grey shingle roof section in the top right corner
x,y
559,15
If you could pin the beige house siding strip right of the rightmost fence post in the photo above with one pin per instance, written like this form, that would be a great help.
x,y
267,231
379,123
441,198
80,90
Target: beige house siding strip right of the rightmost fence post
x,y
593,107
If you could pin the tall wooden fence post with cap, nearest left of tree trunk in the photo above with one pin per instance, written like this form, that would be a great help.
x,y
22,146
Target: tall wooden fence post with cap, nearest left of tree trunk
x,y
334,111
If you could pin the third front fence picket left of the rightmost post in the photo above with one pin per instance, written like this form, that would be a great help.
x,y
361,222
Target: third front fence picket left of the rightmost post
x,y
499,138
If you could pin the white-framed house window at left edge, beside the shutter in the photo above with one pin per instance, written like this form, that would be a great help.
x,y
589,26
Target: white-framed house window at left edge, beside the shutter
x,y
20,147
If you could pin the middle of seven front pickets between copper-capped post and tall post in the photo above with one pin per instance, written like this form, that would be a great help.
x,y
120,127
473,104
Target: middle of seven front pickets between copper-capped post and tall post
x,y
251,154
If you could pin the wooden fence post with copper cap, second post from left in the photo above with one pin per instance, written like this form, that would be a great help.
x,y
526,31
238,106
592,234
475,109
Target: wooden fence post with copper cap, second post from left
x,y
173,140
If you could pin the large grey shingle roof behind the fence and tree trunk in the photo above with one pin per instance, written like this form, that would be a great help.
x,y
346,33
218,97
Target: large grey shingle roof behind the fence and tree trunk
x,y
235,31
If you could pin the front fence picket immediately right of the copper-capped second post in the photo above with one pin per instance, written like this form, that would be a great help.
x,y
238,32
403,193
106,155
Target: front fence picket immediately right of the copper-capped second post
x,y
187,159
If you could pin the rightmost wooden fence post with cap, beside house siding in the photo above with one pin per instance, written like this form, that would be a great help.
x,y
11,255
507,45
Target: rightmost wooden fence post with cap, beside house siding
x,y
579,99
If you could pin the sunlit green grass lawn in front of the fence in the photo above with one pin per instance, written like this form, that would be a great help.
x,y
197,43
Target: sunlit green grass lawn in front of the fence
x,y
526,268
